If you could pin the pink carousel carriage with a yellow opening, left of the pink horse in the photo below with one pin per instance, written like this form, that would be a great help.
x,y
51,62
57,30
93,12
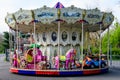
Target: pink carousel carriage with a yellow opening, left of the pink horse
x,y
38,59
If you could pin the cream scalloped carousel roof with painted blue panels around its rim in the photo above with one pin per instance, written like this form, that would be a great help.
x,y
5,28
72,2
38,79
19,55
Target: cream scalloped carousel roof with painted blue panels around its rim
x,y
69,17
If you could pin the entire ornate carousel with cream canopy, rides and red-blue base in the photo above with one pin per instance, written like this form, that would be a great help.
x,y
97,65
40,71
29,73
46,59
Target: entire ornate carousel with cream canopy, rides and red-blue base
x,y
57,39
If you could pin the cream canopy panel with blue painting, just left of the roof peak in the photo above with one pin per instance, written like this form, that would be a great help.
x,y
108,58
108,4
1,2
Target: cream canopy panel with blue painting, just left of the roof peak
x,y
45,14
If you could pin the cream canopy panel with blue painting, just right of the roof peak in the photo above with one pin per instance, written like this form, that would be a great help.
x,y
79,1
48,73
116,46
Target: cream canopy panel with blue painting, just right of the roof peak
x,y
71,14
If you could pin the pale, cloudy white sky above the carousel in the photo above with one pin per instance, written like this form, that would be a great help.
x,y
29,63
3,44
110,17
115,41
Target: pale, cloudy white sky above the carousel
x,y
11,6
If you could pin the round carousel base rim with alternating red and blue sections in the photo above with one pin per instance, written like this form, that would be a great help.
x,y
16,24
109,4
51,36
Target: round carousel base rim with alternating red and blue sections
x,y
59,72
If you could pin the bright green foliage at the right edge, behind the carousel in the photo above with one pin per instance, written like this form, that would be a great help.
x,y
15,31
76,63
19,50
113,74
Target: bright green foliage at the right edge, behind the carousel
x,y
114,40
